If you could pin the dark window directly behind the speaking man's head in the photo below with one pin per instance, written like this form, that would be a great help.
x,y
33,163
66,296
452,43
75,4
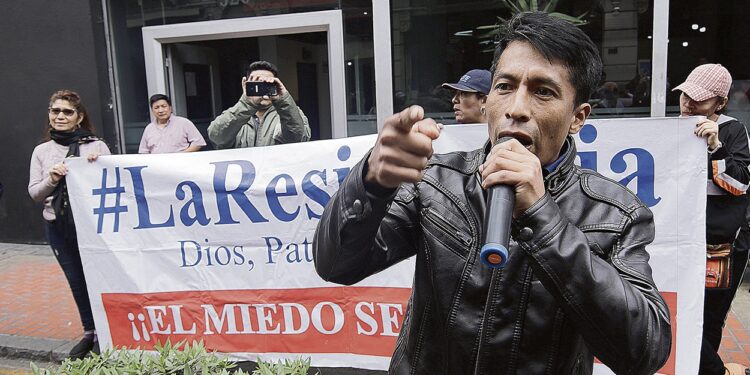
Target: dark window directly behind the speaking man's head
x,y
436,41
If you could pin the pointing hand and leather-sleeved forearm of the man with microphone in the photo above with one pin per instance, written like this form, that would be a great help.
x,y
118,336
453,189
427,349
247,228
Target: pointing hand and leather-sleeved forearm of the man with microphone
x,y
350,240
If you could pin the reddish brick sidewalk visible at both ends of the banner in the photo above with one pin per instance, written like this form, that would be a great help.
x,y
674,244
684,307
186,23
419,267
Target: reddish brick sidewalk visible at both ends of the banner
x,y
37,303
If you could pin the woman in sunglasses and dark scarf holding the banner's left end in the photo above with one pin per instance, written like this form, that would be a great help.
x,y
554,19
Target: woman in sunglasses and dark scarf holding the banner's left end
x,y
69,134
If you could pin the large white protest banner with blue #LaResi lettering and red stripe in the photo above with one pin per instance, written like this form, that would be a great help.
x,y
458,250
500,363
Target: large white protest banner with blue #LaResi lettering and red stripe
x,y
217,245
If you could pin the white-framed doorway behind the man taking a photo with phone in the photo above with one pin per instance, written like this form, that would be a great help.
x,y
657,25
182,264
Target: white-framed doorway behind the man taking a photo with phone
x,y
201,64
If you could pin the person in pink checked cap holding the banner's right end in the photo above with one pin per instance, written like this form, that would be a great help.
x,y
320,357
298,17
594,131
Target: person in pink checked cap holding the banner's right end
x,y
705,93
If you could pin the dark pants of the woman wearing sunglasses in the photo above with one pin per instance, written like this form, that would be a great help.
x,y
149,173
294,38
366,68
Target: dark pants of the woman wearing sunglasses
x,y
69,258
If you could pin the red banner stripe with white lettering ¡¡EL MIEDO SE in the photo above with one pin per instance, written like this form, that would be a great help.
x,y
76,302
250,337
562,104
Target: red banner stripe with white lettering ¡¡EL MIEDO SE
x,y
359,320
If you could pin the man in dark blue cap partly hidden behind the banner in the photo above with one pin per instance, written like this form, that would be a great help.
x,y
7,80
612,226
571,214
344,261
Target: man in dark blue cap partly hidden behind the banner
x,y
469,96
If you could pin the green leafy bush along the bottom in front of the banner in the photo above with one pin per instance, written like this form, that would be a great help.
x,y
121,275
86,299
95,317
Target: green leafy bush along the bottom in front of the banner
x,y
181,358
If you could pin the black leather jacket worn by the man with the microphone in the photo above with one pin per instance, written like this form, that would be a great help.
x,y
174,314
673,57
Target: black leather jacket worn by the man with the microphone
x,y
577,283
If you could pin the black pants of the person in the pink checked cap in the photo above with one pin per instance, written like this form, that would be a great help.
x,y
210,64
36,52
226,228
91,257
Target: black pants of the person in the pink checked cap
x,y
716,307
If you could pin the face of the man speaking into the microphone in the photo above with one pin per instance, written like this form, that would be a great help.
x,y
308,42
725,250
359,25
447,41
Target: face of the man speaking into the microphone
x,y
532,100
